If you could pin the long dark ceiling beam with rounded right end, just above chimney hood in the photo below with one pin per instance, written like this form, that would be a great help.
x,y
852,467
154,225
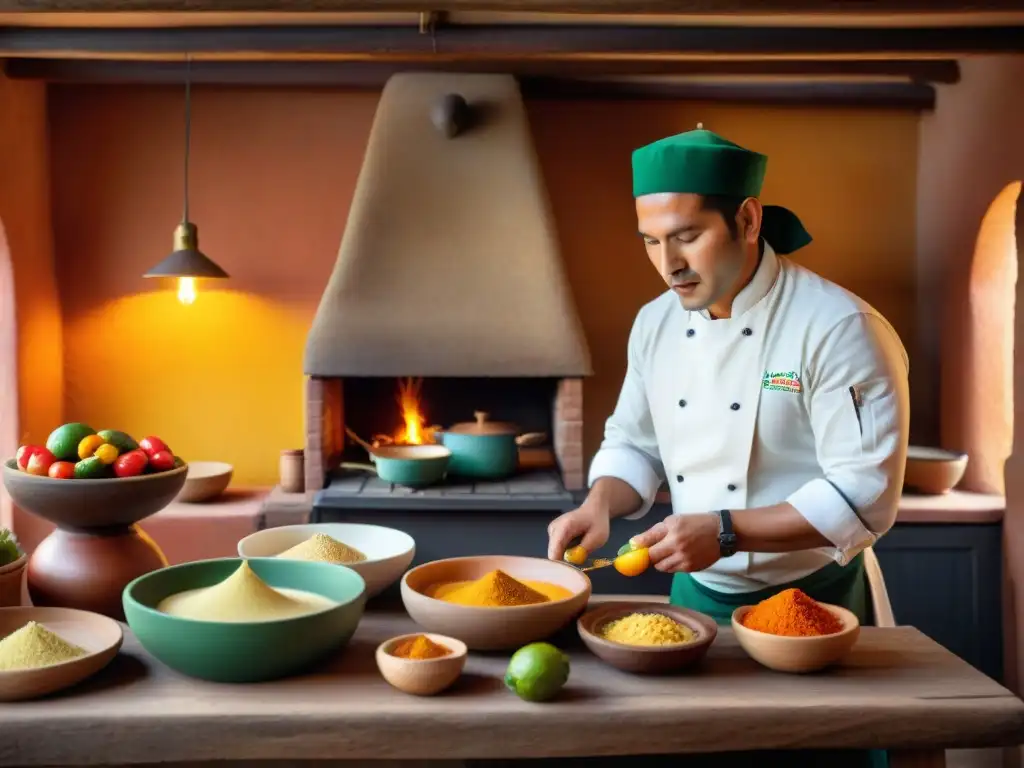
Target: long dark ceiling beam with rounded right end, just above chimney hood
x,y
375,74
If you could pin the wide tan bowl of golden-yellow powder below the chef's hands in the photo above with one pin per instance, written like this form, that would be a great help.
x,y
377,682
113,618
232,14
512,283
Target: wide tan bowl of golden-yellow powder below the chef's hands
x,y
495,603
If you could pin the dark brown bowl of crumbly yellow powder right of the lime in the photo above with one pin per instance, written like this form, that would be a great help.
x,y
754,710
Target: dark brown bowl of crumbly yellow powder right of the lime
x,y
647,637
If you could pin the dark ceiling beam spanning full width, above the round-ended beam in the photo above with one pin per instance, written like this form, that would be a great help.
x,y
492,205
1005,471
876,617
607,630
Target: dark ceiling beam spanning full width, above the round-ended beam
x,y
495,42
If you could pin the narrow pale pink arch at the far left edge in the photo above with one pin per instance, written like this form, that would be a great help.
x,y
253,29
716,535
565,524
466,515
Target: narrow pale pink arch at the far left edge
x,y
9,370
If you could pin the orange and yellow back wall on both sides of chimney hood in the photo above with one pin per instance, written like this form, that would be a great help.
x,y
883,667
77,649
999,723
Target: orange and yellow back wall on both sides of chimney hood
x,y
273,175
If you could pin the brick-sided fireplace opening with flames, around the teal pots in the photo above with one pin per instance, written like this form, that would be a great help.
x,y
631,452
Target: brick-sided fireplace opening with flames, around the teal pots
x,y
549,472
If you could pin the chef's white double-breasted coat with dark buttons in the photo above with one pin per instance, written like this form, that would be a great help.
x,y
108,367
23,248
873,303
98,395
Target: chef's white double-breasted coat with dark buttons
x,y
800,397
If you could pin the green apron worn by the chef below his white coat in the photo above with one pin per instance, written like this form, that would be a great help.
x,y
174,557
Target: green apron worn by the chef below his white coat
x,y
839,585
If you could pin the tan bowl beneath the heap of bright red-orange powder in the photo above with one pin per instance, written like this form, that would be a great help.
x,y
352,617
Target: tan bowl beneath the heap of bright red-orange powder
x,y
785,654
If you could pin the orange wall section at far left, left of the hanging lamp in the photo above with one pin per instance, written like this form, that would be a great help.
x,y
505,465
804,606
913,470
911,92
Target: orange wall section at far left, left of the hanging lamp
x,y
27,255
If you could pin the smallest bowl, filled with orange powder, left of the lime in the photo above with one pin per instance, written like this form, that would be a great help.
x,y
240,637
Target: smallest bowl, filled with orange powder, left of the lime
x,y
421,664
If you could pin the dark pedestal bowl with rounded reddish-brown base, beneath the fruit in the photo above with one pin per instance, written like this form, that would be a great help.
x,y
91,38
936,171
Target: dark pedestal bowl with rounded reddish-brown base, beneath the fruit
x,y
98,547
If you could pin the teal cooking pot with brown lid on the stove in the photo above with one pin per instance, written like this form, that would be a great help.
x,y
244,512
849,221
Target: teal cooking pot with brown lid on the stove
x,y
486,450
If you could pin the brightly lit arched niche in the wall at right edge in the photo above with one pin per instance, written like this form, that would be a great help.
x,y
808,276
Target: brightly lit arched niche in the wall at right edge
x,y
980,417
